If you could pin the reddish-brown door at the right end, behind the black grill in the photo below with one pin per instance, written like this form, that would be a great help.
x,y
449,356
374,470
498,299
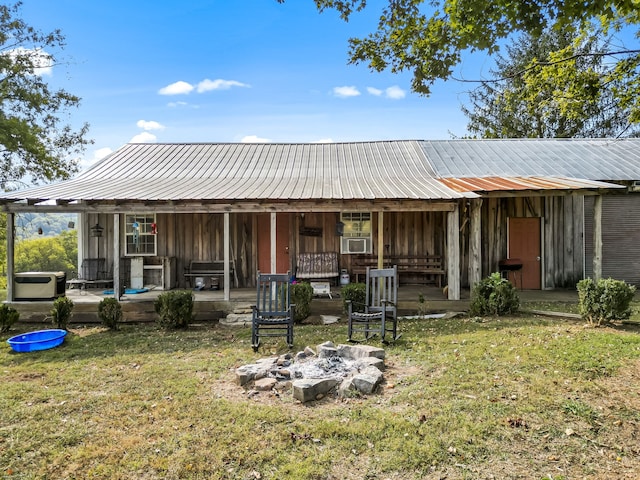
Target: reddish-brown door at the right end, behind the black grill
x,y
525,244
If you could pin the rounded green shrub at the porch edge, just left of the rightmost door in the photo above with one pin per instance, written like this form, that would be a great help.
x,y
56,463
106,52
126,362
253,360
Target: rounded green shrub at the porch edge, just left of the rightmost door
x,y
494,295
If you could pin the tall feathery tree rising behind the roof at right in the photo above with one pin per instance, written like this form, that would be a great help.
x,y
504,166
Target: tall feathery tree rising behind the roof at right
x,y
536,101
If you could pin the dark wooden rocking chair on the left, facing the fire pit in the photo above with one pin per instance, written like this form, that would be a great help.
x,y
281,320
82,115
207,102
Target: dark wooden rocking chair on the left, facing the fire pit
x,y
273,311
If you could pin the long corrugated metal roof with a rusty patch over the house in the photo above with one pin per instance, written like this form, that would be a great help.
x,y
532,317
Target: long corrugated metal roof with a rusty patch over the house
x,y
381,170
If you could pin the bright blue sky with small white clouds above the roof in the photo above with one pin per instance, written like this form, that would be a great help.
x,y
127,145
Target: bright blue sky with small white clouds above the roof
x,y
232,71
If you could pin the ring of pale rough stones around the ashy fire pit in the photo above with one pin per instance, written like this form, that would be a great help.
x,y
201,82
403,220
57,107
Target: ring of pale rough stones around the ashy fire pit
x,y
354,369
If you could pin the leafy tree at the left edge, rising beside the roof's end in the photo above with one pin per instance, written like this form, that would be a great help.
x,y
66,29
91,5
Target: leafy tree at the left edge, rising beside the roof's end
x,y
36,143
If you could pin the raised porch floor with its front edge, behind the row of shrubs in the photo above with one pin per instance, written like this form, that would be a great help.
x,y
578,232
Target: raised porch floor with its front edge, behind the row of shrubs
x,y
210,304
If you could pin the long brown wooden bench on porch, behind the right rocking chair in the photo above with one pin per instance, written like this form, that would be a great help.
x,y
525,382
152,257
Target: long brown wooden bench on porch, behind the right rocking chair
x,y
414,268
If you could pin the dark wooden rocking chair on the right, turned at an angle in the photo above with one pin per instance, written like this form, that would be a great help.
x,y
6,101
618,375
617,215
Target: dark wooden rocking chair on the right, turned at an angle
x,y
380,314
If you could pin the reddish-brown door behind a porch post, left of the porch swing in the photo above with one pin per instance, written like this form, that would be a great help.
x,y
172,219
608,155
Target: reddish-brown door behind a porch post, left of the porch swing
x,y
282,243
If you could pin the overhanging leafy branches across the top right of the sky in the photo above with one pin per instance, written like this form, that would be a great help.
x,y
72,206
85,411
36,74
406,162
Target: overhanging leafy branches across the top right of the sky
x,y
429,37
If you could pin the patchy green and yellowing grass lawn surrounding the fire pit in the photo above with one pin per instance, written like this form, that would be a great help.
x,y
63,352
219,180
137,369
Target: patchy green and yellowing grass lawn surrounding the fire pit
x,y
522,397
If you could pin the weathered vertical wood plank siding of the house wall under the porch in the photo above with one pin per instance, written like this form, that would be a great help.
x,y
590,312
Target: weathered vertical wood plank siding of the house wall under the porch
x,y
200,236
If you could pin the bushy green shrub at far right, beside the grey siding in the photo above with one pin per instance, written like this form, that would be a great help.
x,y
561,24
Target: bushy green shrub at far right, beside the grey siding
x,y
605,301
